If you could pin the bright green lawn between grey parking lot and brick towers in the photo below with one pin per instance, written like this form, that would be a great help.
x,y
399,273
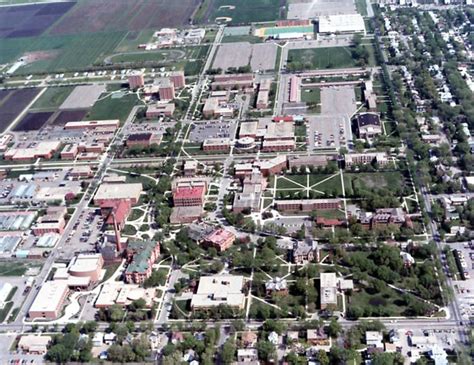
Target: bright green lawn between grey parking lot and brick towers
x,y
113,108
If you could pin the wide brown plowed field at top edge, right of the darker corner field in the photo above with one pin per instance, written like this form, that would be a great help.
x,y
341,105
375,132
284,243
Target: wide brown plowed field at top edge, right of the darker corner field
x,y
113,15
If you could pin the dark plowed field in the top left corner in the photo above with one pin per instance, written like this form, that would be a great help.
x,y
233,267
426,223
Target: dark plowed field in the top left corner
x,y
30,20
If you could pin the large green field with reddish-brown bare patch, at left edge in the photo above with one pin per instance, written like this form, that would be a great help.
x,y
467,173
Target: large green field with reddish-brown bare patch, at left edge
x,y
60,53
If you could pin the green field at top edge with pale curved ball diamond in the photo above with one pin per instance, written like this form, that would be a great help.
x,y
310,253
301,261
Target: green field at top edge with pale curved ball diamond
x,y
244,11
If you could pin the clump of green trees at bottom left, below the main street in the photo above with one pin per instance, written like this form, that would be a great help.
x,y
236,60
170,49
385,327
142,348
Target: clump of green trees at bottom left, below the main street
x,y
70,346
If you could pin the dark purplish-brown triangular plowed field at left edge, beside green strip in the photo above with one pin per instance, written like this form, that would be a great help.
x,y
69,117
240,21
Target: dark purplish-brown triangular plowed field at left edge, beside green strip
x,y
13,104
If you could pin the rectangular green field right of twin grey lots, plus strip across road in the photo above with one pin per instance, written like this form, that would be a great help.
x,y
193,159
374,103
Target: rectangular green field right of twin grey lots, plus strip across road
x,y
324,58
